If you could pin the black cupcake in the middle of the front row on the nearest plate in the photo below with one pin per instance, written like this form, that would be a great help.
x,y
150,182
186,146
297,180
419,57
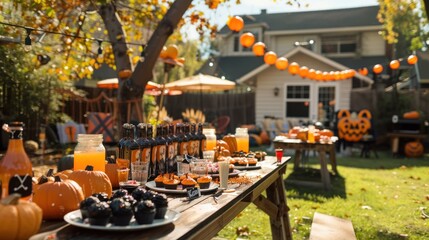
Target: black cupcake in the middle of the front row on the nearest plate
x,y
121,212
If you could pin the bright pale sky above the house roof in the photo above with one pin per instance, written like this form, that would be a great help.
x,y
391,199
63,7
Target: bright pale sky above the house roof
x,y
220,15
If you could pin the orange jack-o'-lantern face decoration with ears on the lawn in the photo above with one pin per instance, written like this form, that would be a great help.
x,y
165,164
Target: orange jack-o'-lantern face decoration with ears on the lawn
x,y
352,127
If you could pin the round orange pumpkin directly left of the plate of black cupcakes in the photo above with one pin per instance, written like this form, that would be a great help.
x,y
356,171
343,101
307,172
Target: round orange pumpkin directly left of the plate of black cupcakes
x,y
58,198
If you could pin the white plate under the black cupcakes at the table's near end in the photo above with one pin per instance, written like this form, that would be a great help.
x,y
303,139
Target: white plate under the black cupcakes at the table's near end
x,y
75,219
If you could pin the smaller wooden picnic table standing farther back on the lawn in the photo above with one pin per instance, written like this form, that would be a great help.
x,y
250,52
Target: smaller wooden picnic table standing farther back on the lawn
x,y
321,148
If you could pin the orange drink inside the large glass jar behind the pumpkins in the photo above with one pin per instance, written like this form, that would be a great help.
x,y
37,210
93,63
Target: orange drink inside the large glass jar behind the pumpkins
x,y
95,159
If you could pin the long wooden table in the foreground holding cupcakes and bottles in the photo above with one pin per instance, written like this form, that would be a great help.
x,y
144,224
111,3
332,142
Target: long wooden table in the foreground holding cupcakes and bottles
x,y
203,218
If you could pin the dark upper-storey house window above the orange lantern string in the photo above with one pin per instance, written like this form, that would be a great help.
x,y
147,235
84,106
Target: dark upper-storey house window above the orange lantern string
x,y
339,44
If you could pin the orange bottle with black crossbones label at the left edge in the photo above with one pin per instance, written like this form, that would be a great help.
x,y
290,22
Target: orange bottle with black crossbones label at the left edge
x,y
15,168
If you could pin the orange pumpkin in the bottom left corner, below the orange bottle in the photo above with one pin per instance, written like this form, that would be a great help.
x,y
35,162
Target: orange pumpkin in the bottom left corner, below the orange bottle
x,y
20,219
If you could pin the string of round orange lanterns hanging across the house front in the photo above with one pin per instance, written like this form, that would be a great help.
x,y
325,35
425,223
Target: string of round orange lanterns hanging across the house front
x,y
259,49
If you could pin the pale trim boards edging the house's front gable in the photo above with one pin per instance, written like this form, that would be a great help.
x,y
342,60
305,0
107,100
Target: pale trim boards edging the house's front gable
x,y
310,54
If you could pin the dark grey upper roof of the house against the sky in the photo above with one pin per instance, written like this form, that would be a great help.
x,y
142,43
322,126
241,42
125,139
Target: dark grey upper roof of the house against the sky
x,y
335,18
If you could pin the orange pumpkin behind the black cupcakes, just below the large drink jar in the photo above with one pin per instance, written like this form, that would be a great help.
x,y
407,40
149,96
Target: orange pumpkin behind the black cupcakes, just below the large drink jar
x,y
92,181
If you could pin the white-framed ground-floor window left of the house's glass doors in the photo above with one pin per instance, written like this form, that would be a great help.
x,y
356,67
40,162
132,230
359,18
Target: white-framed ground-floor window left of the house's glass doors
x,y
297,101
